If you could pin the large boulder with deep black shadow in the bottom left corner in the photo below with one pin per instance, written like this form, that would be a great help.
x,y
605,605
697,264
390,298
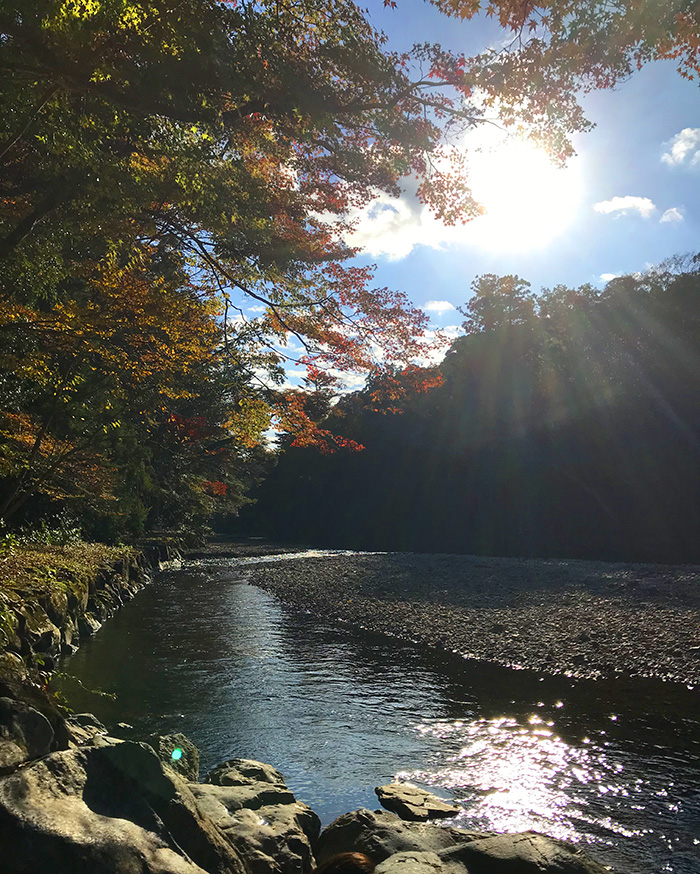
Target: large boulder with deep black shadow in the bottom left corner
x,y
107,809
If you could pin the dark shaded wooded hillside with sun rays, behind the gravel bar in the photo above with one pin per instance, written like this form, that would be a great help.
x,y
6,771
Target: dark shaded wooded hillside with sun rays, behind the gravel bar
x,y
564,424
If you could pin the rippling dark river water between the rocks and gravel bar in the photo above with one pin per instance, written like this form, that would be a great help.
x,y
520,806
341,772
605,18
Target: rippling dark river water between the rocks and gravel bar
x,y
613,765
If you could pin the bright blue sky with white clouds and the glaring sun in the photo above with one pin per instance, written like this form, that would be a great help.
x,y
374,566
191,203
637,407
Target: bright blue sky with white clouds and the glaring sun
x,y
629,199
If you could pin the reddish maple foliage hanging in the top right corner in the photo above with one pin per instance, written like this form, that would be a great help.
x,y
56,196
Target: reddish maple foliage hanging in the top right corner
x,y
560,47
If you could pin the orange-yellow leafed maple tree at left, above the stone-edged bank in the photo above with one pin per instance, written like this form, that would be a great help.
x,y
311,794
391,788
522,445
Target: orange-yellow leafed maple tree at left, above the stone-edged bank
x,y
122,392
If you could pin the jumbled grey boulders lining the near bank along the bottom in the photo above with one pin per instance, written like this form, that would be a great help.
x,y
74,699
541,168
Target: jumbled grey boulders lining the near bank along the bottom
x,y
90,803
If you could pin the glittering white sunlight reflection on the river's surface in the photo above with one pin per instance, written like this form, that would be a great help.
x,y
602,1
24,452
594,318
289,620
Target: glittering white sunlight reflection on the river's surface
x,y
511,775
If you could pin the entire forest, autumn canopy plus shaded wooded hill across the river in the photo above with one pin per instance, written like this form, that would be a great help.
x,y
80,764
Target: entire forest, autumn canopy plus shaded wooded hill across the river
x,y
165,165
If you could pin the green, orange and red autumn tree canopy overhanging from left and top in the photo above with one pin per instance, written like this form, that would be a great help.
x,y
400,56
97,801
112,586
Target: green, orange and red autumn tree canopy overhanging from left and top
x,y
162,161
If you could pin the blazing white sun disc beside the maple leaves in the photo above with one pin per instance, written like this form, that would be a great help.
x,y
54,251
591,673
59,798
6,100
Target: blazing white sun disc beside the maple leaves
x,y
529,201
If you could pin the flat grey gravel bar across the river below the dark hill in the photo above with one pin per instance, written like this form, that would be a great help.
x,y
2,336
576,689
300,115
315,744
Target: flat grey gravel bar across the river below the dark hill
x,y
584,618
